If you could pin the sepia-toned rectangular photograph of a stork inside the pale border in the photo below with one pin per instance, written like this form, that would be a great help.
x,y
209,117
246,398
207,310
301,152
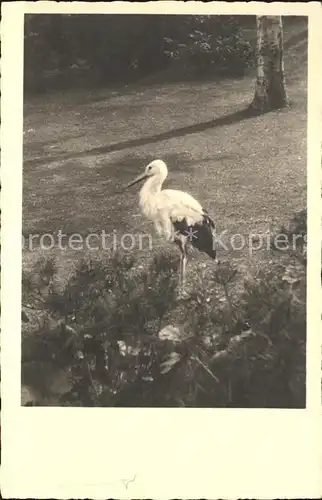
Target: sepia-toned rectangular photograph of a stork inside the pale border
x,y
164,211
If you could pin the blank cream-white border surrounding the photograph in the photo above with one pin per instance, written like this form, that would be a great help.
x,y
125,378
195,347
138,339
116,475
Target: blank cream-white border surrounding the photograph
x,y
144,453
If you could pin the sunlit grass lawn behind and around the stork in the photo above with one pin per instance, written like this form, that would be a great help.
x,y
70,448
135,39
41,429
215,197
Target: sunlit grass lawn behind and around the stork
x,y
81,147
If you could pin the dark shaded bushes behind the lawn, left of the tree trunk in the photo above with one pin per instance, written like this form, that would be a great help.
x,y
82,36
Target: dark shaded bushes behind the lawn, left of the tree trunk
x,y
67,51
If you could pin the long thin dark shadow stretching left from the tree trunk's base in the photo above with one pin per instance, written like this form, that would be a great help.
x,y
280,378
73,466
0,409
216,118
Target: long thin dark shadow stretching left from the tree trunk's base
x,y
131,143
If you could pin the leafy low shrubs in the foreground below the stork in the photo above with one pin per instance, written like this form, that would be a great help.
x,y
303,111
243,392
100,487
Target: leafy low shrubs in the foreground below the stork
x,y
116,335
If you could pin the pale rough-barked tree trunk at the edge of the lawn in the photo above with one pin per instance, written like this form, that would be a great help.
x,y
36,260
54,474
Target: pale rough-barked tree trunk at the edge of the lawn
x,y
270,92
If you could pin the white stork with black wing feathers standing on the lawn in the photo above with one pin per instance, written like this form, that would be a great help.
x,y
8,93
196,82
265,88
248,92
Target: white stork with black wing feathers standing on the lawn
x,y
176,214
